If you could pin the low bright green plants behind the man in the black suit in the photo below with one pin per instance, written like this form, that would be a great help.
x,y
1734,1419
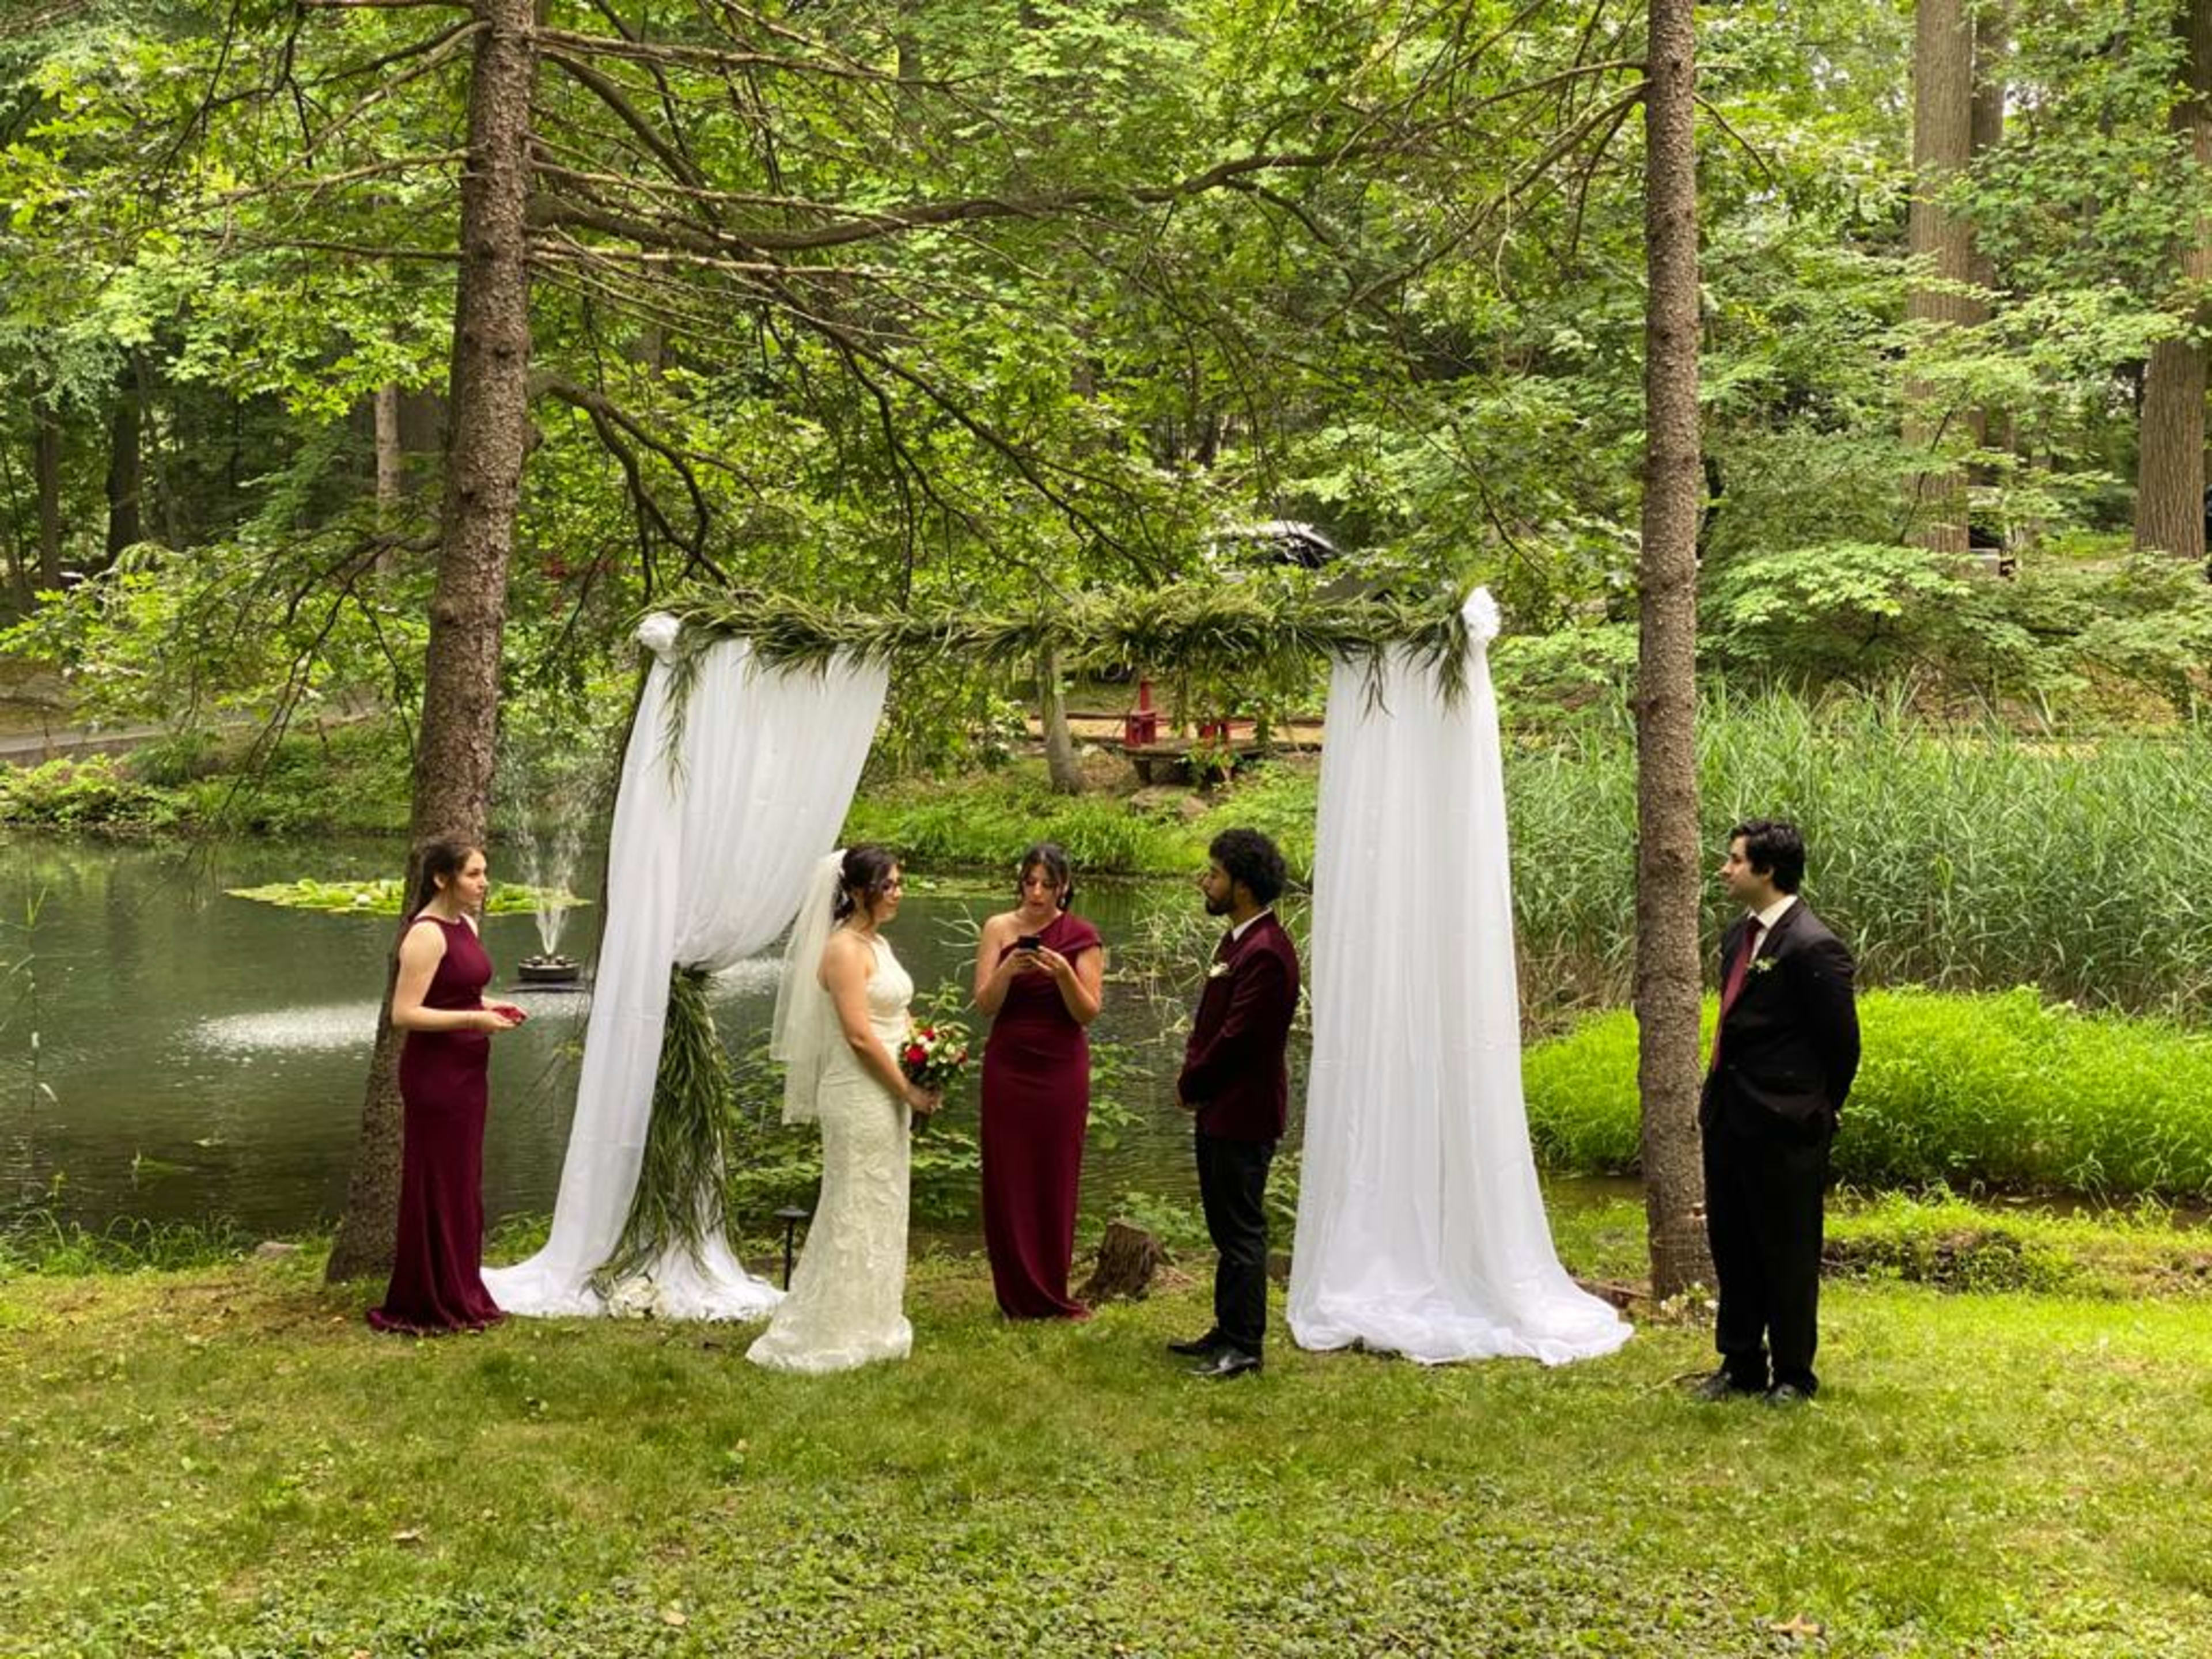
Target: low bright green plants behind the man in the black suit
x,y
1970,1092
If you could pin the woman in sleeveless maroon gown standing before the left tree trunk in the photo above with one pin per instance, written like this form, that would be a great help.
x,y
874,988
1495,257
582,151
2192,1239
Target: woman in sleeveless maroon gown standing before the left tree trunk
x,y
439,1003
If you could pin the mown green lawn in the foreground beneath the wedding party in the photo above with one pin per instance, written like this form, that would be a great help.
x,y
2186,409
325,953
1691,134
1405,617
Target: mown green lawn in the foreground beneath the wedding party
x,y
227,1461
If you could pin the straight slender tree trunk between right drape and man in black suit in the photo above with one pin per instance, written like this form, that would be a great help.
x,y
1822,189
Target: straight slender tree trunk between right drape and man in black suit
x,y
1667,992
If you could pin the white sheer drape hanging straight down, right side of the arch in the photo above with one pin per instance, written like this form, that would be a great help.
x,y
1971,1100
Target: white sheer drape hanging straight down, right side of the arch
x,y
1421,1224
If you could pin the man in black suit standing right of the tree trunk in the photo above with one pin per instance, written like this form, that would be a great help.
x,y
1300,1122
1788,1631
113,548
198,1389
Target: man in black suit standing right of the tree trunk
x,y
1784,1058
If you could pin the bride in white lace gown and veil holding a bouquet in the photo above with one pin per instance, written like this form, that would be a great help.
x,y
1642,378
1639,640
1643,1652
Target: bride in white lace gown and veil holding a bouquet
x,y
842,1019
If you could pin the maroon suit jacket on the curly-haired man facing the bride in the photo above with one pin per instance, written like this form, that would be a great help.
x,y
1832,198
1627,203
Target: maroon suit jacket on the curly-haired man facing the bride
x,y
1238,1065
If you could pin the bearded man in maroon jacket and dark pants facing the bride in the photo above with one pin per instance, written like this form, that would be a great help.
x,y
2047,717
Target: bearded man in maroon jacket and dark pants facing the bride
x,y
1238,1085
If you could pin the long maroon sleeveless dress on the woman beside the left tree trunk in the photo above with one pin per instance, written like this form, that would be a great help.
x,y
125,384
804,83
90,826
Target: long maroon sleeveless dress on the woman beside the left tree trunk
x,y
437,1271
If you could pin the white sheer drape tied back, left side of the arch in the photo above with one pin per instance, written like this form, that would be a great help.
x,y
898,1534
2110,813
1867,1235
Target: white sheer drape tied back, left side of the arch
x,y
707,864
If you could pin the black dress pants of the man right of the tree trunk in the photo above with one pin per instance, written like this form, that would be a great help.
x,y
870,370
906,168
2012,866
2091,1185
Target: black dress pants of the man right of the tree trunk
x,y
1764,1220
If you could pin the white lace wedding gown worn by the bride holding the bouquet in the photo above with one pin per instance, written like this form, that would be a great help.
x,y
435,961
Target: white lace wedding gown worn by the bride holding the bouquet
x,y
846,1304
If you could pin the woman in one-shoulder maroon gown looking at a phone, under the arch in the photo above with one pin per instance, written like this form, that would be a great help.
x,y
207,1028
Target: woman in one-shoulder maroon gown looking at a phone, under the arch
x,y
1039,972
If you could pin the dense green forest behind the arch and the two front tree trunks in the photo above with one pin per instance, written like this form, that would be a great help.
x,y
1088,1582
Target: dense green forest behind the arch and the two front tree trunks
x,y
893,302
